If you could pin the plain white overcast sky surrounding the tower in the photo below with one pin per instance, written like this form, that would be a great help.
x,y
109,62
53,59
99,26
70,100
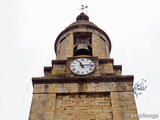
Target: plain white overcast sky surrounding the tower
x,y
28,29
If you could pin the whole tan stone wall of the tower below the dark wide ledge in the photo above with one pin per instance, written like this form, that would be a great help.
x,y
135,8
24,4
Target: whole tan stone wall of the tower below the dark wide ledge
x,y
83,101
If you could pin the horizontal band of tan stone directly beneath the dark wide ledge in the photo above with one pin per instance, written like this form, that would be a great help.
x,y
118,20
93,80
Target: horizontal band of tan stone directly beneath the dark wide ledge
x,y
82,87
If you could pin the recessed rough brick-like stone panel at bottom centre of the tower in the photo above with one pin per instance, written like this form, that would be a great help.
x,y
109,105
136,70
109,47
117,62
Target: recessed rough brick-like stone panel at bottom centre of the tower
x,y
83,107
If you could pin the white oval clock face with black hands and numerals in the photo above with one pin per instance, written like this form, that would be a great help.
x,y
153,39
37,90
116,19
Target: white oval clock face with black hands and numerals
x,y
82,66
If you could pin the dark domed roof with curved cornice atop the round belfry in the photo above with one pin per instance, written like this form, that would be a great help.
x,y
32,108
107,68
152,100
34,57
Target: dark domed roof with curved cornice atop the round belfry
x,y
82,20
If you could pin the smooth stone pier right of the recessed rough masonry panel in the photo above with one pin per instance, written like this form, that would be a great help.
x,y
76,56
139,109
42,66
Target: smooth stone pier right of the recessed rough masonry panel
x,y
123,105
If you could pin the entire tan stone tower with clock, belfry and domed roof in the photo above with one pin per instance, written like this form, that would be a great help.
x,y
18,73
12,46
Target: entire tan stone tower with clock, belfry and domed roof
x,y
83,83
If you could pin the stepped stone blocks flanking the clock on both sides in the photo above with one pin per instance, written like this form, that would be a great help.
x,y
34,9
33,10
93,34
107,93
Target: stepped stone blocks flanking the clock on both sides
x,y
102,67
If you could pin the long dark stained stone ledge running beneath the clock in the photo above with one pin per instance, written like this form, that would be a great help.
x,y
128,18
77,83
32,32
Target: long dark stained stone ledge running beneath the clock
x,y
83,79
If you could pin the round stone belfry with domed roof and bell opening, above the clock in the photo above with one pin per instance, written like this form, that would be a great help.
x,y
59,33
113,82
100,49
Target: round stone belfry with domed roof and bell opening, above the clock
x,y
82,38
